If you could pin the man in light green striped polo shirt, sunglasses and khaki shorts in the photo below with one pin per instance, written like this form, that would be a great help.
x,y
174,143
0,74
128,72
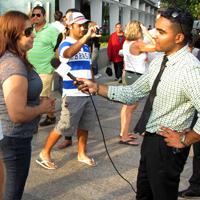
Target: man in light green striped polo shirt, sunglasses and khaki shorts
x,y
41,54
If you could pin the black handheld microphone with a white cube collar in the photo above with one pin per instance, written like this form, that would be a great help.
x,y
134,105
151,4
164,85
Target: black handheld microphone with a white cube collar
x,y
62,69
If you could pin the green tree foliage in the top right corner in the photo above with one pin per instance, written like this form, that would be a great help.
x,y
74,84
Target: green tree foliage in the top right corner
x,y
193,6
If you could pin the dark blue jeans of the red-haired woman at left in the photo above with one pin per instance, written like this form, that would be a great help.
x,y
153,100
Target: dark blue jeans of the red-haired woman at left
x,y
16,154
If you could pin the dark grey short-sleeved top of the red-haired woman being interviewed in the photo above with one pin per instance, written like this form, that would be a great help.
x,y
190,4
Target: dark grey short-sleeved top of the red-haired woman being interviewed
x,y
11,65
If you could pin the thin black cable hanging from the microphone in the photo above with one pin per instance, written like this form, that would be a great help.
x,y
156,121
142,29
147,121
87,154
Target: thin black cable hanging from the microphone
x,y
106,145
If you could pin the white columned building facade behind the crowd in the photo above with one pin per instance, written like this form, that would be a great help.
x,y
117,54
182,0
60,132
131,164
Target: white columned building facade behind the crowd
x,y
121,11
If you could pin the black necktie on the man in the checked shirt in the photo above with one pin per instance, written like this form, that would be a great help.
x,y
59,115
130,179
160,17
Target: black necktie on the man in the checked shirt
x,y
141,125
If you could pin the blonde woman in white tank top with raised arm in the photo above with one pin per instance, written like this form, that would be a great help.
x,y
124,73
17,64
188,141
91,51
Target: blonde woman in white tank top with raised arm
x,y
134,50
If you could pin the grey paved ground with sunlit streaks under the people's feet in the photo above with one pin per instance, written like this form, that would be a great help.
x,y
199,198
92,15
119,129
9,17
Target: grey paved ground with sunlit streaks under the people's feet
x,y
74,180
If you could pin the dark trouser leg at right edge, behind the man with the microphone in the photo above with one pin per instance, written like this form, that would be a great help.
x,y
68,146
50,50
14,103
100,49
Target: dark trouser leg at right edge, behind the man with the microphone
x,y
195,178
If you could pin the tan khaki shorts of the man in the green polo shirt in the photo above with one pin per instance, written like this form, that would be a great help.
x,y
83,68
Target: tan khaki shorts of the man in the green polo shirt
x,y
47,84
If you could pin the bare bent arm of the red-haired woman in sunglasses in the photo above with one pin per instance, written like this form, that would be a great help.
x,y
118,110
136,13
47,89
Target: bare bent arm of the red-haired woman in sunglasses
x,y
15,93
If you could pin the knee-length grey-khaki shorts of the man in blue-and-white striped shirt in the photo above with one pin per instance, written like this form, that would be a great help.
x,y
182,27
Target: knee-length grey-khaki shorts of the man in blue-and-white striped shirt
x,y
79,113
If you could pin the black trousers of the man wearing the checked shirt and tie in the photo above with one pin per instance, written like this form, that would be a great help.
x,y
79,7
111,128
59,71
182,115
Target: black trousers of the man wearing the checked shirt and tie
x,y
159,170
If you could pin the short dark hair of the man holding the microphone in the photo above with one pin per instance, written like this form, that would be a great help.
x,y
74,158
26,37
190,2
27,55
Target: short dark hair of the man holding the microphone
x,y
184,18
